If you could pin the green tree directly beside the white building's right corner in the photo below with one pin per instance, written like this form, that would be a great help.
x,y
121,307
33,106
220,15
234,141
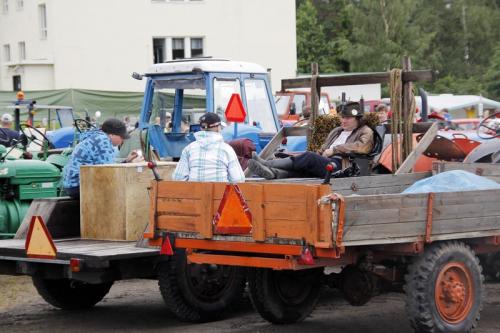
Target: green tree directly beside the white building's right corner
x,y
312,45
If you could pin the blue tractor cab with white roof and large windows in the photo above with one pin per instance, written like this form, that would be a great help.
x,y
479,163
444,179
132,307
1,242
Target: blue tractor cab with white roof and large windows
x,y
179,92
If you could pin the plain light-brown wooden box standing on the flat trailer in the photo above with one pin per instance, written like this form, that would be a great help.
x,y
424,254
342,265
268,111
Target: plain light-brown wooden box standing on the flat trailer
x,y
114,199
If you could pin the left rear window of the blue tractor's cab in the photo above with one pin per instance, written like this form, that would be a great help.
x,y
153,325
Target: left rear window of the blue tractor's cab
x,y
189,93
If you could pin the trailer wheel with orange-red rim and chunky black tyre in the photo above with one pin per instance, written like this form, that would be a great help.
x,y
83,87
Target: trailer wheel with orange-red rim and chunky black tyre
x,y
443,289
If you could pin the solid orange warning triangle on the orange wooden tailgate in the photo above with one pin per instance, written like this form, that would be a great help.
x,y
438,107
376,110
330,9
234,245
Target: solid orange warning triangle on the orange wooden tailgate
x,y
233,215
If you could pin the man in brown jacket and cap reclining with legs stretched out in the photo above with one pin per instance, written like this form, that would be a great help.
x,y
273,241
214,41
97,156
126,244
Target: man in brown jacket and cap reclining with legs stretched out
x,y
353,136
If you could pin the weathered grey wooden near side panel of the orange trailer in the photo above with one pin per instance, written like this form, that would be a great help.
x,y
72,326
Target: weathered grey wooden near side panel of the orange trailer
x,y
397,218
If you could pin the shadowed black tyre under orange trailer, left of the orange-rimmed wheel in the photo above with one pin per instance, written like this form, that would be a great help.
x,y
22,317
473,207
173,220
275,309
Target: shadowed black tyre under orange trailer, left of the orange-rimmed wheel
x,y
284,297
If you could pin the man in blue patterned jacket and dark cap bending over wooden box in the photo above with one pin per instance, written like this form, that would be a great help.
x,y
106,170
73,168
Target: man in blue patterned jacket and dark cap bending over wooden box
x,y
95,147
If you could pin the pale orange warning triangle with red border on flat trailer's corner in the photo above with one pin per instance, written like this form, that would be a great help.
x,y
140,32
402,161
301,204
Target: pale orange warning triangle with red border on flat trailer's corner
x,y
39,243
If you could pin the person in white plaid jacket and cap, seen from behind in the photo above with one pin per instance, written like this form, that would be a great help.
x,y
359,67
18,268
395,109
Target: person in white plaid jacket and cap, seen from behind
x,y
209,158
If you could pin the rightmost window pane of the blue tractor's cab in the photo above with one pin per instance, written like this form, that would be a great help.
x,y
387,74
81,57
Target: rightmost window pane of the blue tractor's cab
x,y
259,108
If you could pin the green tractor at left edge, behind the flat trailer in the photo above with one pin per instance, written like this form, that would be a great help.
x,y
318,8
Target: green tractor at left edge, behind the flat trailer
x,y
21,181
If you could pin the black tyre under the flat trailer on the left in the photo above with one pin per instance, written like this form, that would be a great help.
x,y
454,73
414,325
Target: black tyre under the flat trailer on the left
x,y
69,294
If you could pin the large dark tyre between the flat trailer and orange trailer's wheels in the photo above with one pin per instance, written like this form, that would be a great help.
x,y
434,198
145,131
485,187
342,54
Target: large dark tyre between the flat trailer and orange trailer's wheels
x,y
199,293
